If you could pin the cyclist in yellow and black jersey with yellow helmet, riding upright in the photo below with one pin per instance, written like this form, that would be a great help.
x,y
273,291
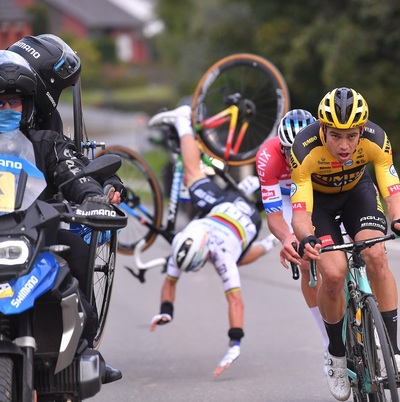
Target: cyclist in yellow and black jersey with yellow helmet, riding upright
x,y
329,178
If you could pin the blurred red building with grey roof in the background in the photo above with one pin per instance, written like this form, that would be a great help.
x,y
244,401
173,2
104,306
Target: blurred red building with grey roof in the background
x,y
82,18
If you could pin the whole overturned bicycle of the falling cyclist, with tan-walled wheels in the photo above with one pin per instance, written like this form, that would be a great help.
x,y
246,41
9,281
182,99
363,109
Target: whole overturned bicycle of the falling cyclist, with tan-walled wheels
x,y
236,106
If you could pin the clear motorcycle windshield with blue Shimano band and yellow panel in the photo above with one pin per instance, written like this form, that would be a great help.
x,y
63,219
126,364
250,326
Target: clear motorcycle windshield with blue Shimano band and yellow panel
x,y
21,182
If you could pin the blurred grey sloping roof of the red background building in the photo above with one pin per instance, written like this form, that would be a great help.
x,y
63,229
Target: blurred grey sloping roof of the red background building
x,y
96,13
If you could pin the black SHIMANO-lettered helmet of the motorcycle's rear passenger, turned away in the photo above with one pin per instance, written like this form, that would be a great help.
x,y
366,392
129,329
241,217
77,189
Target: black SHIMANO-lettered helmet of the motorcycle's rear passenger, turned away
x,y
56,64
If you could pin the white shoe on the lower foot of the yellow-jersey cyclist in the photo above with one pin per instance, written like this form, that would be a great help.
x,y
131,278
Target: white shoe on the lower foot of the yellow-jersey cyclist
x,y
336,375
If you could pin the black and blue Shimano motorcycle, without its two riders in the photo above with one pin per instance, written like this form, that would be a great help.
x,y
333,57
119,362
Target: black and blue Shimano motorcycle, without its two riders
x,y
42,354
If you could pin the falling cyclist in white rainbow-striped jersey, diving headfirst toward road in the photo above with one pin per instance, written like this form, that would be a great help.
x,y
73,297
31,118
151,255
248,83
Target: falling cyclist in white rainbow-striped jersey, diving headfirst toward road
x,y
224,236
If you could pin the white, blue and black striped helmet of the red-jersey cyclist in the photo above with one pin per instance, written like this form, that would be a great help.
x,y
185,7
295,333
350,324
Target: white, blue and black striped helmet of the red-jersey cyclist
x,y
292,123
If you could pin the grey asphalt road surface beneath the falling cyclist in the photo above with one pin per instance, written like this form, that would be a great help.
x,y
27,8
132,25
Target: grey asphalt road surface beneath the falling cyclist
x,y
281,355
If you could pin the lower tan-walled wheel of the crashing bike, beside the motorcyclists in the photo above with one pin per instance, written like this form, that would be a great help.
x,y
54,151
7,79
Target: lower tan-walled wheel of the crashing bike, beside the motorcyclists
x,y
144,201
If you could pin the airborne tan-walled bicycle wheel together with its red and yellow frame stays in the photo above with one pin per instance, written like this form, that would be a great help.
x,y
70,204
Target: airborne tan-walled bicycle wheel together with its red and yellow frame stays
x,y
249,84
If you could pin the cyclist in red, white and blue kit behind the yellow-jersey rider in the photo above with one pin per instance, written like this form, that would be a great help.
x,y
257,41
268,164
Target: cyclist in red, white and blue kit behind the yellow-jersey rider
x,y
273,169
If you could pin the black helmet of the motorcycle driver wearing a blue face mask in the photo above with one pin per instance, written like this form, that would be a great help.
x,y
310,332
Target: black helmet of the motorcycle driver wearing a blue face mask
x,y
17,77
